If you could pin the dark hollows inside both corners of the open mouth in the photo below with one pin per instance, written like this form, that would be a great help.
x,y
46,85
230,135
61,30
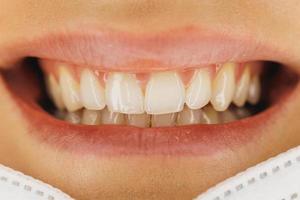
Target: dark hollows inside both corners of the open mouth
x,y
27,80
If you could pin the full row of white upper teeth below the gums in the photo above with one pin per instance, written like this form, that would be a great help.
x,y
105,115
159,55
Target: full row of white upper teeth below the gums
x,y
164,93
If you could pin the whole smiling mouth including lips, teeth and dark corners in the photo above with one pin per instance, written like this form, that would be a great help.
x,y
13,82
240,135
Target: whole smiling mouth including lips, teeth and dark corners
x,y
135,102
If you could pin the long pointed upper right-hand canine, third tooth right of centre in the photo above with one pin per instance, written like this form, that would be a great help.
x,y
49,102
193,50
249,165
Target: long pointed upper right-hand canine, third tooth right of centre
x,y
223,87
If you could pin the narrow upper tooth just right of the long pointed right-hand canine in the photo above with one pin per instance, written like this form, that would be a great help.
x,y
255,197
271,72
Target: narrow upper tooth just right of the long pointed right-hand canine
x,y
242,88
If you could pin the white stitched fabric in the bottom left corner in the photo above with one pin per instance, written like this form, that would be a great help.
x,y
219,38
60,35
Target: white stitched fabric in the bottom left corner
x,y
17,186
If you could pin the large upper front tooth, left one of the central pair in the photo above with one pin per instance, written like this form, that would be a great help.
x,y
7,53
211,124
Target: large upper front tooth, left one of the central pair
x,y
124,94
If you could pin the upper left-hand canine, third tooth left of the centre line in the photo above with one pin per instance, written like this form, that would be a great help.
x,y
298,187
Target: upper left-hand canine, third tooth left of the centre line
x,y
70,90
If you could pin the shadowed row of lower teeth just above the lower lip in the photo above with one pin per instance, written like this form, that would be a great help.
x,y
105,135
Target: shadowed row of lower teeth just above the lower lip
x,y
206,115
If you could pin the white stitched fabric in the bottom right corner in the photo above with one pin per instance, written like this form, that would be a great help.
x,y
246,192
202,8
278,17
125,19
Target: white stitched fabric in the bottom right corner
x,y
275,179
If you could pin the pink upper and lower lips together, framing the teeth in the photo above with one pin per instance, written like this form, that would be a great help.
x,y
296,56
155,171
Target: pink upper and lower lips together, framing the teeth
x,y
128,52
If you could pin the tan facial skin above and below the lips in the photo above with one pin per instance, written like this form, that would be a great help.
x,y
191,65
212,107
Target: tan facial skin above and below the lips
x,y
144,177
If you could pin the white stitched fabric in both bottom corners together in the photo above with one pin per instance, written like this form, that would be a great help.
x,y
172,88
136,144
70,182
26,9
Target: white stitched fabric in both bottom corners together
x,y
275,179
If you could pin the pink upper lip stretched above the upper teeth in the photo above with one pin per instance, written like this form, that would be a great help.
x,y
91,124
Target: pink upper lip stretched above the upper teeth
x,y
113,50
